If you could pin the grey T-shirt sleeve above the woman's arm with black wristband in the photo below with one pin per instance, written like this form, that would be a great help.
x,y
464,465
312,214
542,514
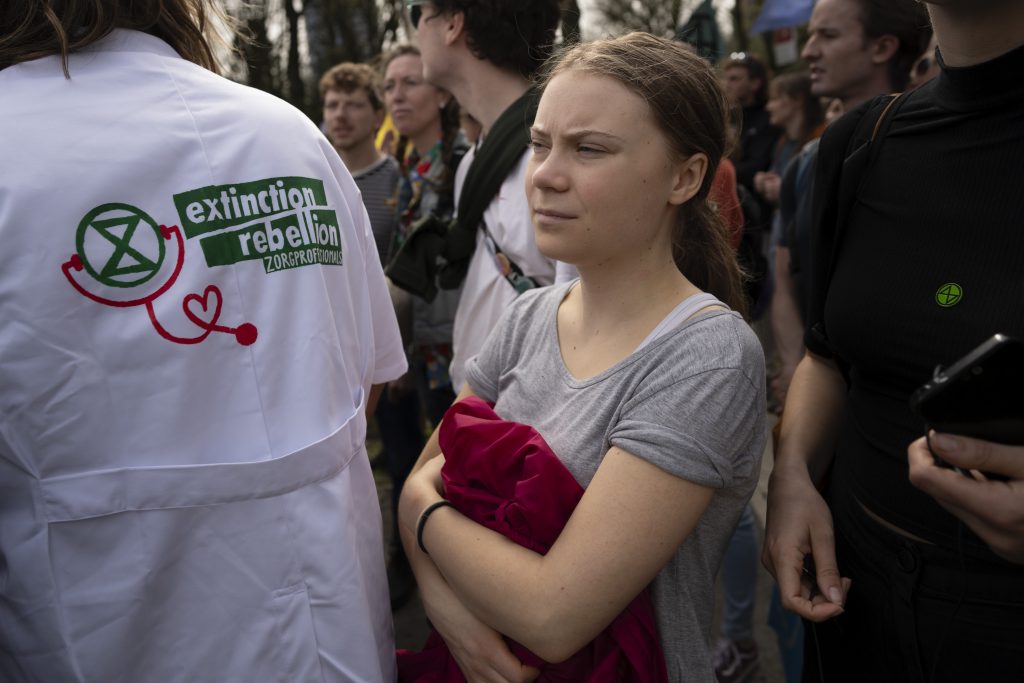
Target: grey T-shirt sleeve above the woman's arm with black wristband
x,y
702,429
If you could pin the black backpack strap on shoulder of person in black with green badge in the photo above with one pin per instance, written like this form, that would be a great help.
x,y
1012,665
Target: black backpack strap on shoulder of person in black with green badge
x,y
845,156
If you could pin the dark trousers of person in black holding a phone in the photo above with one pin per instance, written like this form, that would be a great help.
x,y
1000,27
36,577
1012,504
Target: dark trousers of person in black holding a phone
x,y
916,613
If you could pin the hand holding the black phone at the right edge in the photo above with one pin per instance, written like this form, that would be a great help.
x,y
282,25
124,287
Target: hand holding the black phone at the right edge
x,y
994,510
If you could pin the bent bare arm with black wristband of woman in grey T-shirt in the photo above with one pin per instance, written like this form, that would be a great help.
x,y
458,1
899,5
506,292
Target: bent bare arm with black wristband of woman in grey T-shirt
x,y
629,524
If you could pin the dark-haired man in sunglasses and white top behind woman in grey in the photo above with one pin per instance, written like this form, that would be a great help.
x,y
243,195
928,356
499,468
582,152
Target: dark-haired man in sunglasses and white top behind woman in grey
x,y
484,53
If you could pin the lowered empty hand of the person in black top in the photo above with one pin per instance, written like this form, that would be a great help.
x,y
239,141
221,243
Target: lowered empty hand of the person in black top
x,y
800,525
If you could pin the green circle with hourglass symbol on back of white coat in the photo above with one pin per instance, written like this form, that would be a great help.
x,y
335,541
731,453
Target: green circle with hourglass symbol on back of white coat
x,y
113,248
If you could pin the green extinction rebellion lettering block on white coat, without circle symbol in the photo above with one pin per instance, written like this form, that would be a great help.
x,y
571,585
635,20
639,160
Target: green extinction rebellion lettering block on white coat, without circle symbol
x,y
284,223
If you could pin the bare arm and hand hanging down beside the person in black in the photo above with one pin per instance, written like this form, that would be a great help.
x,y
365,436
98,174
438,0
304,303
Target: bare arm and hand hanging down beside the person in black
x,y
799,521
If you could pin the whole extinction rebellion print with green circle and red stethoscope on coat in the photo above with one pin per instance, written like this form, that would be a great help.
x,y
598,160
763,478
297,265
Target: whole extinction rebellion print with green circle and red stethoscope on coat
x,y
124,259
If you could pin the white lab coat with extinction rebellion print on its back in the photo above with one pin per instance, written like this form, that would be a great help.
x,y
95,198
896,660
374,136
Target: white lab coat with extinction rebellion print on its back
x,y
185,492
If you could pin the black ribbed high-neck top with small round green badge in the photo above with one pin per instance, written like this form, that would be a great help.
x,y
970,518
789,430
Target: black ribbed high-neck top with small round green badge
x,y
931,264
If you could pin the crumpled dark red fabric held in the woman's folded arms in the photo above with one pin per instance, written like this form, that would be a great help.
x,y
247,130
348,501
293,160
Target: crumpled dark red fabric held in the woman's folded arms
x,y
505,477
